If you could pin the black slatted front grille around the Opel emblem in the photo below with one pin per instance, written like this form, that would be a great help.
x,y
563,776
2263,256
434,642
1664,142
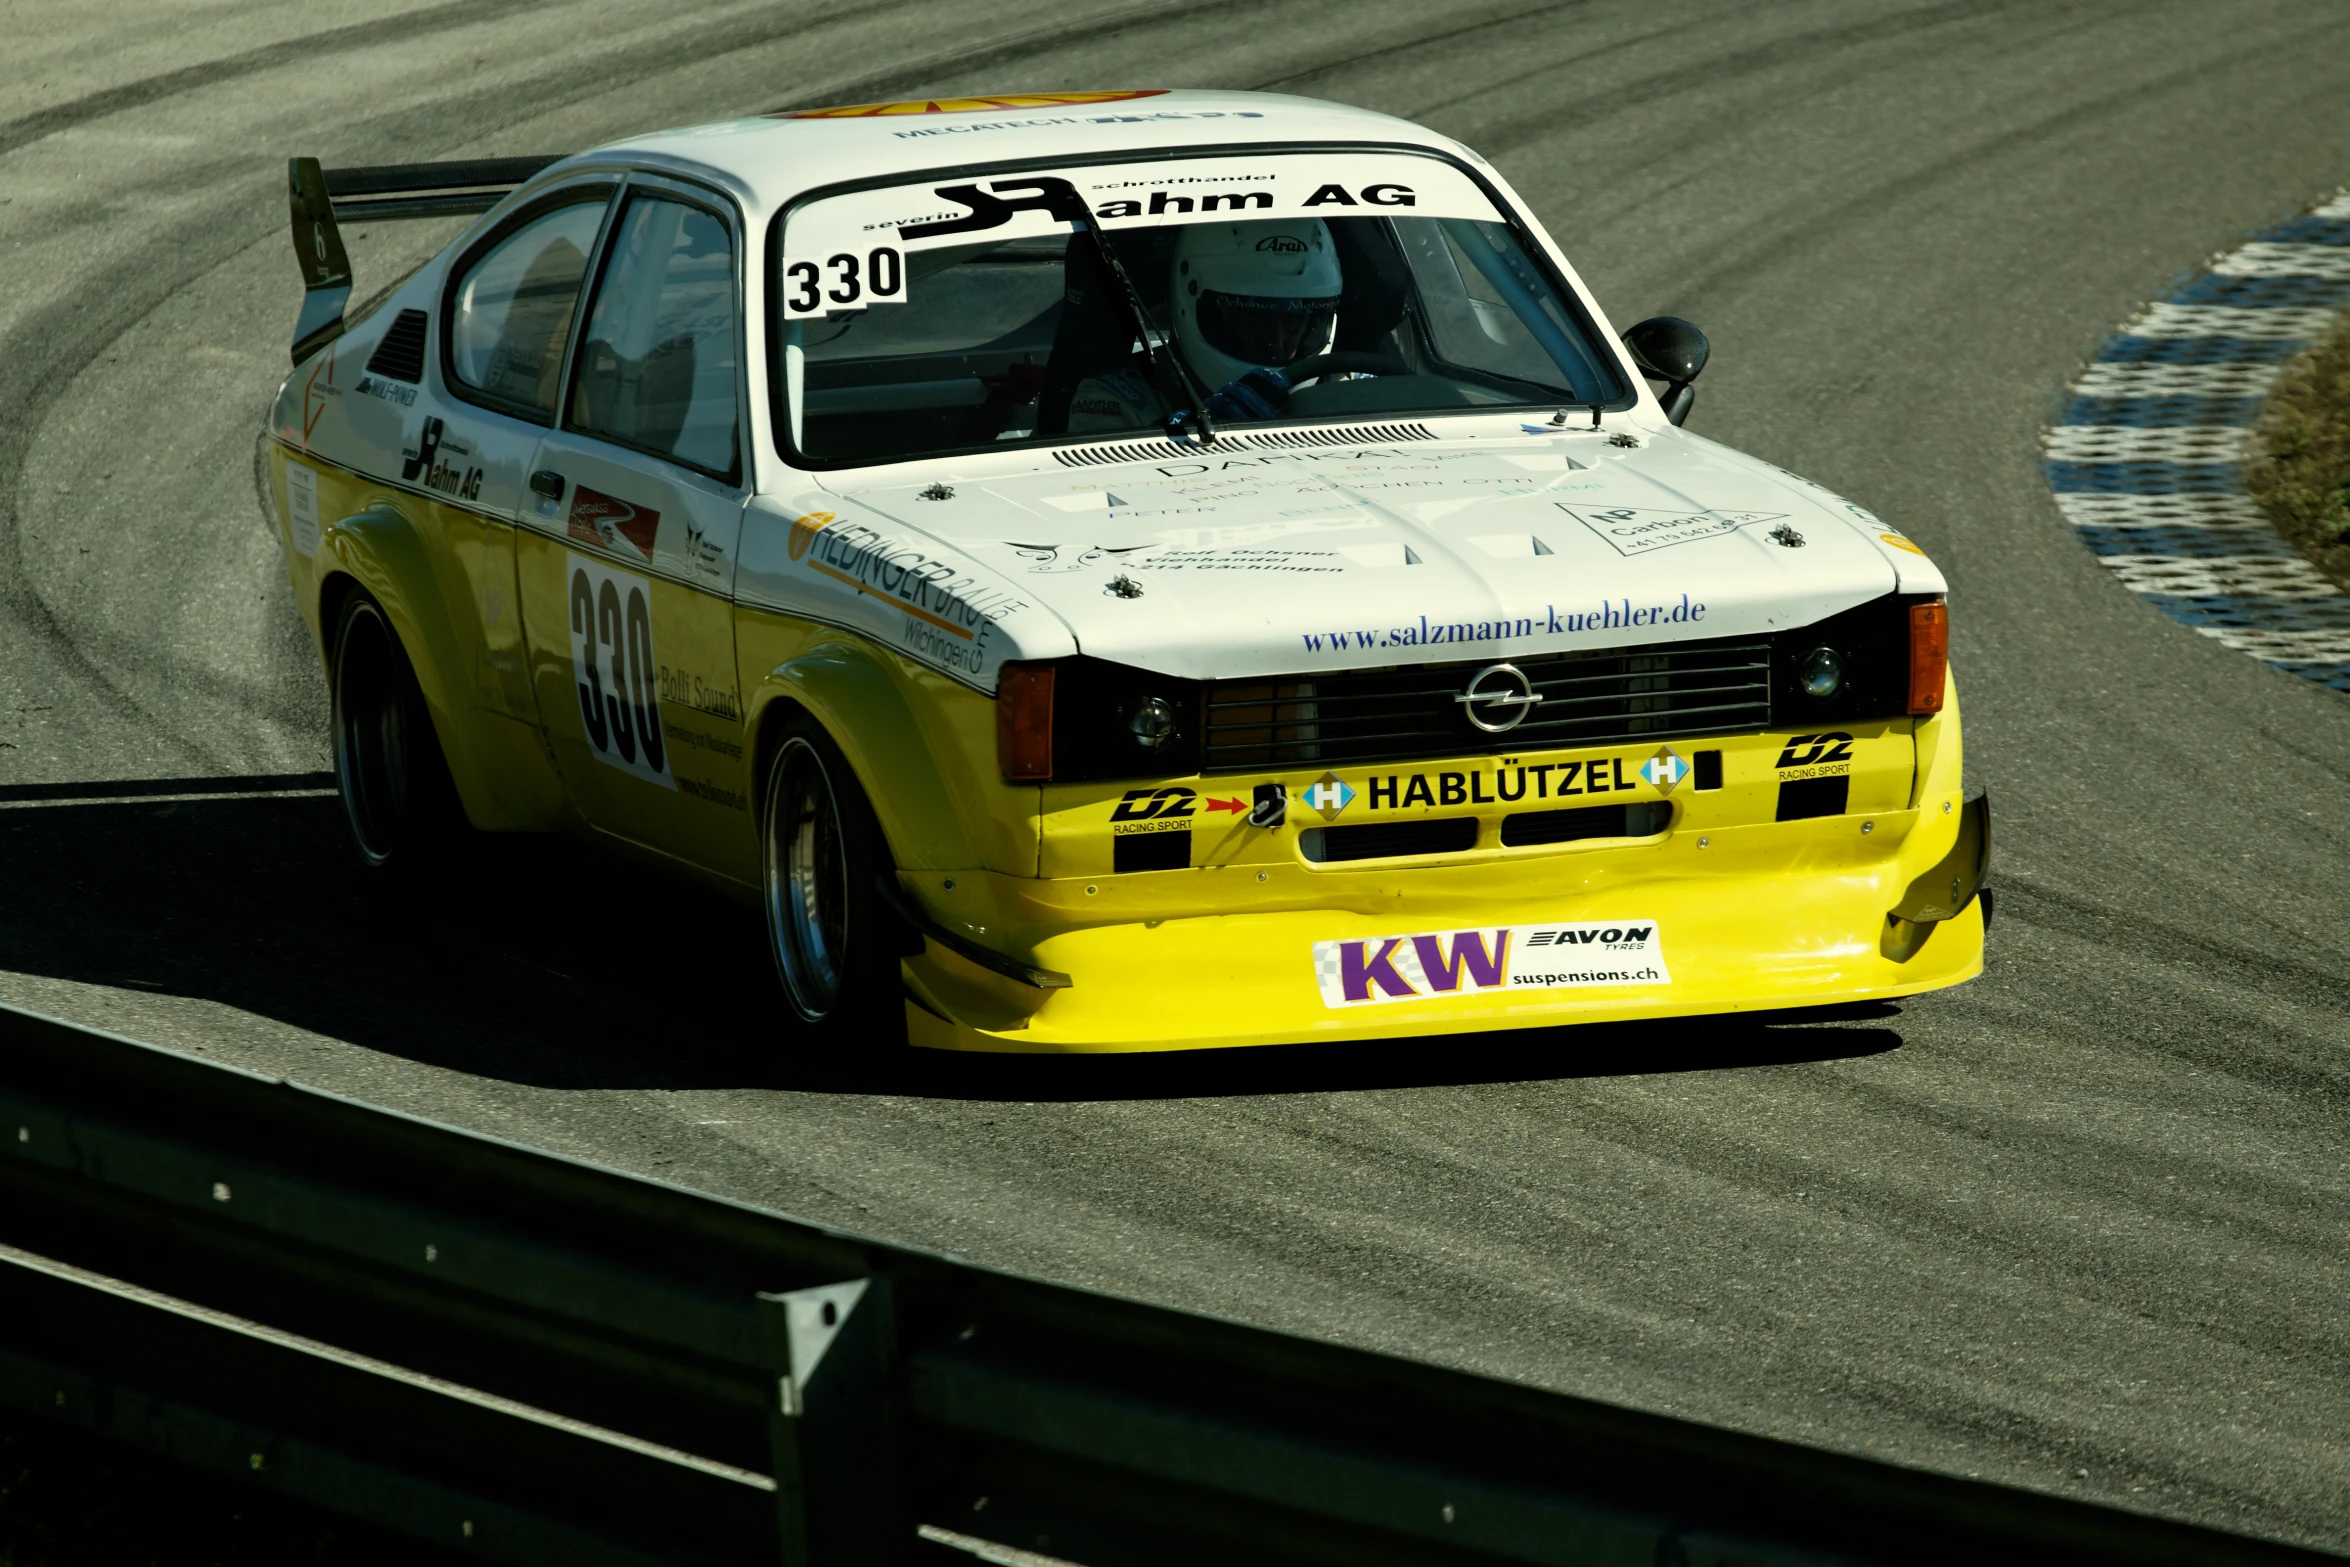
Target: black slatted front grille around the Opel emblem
x,y
1397,715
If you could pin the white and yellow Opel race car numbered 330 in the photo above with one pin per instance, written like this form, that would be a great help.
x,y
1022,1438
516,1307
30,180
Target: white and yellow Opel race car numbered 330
x,y
1110,572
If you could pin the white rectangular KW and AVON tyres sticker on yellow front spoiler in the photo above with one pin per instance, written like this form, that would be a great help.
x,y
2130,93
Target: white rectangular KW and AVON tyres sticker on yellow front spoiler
x,y
1491,962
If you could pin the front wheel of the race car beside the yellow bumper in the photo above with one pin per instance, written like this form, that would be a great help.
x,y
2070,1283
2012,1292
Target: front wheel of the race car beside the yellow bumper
x,y
821,859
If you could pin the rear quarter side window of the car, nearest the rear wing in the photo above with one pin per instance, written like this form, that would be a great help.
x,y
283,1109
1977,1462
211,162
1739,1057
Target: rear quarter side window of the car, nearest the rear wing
x,y
513,307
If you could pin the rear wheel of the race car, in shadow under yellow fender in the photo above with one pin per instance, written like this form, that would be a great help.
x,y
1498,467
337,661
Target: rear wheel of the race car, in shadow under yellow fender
x,y
389,767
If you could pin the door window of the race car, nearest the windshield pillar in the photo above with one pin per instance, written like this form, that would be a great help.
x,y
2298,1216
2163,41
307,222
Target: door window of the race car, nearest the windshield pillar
x,y
657,365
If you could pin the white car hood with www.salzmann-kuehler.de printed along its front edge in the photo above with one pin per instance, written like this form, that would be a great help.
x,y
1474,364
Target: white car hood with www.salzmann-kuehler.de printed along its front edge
x,y
1237,563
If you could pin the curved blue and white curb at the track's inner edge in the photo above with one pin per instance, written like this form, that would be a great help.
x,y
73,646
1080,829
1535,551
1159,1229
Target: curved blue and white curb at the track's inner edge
x,y
2149,457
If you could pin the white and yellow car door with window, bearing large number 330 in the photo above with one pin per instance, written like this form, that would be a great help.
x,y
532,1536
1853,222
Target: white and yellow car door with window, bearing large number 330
x,y
629,544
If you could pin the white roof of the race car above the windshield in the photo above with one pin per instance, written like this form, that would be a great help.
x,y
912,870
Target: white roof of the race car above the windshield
x,y
770,161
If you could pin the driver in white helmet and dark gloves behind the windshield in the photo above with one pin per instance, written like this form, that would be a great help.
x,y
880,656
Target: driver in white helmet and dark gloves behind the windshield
x,y
1247,297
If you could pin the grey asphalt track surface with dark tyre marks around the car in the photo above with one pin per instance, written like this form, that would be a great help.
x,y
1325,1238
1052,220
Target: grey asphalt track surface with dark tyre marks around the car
x,y
2079,1225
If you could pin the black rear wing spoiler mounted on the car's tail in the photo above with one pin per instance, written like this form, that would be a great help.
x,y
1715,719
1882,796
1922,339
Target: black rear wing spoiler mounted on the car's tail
x,y
389,191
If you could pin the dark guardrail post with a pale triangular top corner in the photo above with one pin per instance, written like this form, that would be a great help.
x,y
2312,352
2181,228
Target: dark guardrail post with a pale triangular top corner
x,y
840,1484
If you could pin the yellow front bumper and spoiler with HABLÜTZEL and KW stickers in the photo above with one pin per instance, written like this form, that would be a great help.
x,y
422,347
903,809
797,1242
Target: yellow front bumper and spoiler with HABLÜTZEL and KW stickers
x,y
1256,941
